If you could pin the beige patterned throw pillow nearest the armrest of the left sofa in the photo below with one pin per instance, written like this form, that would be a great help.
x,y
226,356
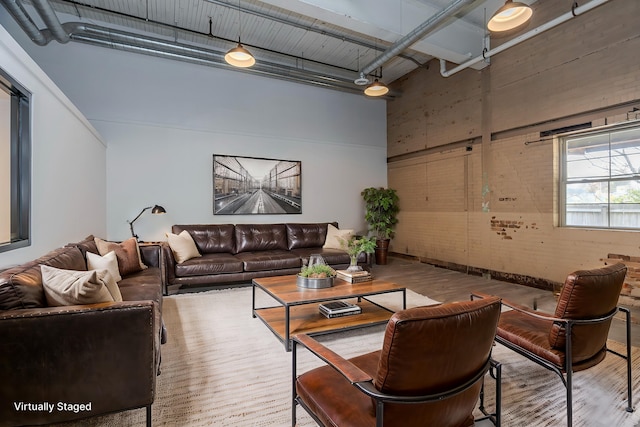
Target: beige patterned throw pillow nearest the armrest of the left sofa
x,y
70,287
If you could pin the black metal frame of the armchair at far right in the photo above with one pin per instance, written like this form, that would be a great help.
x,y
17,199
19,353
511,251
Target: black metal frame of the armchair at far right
x,y
566,372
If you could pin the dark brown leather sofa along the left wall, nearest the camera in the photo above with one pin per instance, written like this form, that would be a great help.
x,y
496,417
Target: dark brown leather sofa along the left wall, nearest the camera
x,y
71,362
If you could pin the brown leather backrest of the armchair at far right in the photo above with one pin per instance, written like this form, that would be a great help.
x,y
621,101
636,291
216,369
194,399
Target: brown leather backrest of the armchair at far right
x,y
587,294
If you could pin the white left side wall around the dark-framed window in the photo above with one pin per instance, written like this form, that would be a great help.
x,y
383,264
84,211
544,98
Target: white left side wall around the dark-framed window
x,y
68,183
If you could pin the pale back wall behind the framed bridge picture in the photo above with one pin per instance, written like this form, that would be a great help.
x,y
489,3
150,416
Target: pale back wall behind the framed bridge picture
x,y
163,121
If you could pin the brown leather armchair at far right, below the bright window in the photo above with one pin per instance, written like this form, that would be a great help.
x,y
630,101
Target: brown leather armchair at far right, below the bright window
x,y
575,337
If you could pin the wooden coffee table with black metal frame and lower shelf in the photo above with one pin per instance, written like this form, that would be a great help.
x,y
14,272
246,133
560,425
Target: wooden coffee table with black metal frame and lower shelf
x,y
298,311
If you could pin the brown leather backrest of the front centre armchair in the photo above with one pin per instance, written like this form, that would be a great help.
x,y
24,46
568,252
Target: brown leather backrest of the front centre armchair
x,y
428,350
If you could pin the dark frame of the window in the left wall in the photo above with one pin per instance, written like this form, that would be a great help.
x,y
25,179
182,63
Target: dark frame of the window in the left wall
x,y
20,148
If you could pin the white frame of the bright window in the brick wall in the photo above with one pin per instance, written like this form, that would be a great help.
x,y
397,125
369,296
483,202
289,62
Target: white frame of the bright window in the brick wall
x,y
563,181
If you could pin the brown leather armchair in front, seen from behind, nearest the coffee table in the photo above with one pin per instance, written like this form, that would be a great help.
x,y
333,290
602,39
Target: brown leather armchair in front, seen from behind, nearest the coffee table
x,y
430,371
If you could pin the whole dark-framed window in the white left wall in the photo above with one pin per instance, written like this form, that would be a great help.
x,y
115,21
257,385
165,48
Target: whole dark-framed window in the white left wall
x,y
15,164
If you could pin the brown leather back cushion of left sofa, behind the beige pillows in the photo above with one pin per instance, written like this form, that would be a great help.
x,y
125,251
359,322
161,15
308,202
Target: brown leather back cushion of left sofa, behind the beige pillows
x,y
21,286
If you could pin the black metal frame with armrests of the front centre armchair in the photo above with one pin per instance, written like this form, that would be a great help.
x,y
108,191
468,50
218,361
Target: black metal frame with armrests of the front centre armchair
x,y
365,385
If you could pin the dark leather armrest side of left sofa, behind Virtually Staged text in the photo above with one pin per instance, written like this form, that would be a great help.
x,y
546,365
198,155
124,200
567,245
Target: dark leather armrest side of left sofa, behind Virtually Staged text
x,y
103,356
